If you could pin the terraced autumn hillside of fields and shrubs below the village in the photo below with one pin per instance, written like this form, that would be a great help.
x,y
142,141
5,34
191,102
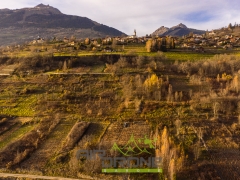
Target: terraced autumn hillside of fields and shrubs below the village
x,y
181,106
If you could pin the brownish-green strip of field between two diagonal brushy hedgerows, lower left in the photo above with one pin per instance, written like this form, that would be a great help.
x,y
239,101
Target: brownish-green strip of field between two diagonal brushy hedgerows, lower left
x,y
50,146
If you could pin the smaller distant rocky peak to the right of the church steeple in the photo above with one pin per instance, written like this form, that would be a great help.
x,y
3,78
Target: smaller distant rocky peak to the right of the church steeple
x,y
178,30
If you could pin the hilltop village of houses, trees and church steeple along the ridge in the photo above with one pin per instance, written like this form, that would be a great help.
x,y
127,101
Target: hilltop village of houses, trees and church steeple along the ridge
x,y
224,38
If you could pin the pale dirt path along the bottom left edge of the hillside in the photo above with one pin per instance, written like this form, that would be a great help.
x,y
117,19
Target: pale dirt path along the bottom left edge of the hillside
x,y
8,175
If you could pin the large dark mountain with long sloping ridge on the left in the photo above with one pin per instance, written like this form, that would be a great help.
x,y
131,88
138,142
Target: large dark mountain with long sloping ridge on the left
x,y
21,25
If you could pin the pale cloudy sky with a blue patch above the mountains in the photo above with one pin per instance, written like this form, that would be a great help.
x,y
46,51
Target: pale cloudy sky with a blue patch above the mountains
x,y
145,15
